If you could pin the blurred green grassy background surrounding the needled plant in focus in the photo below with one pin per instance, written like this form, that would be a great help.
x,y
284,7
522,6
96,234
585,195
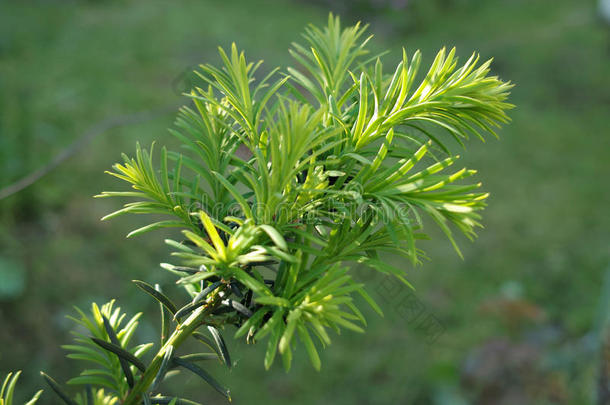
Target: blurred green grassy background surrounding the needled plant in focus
x,y
516,322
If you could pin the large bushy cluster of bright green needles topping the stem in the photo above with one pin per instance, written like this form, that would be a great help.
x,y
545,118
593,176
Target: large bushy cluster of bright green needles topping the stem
x,y
287,180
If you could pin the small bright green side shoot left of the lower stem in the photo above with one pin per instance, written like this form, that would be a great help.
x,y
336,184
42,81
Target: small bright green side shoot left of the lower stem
x,y
107,371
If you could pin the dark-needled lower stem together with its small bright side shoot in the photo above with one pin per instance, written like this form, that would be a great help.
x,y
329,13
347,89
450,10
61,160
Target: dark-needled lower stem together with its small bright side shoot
x,y
118,367
